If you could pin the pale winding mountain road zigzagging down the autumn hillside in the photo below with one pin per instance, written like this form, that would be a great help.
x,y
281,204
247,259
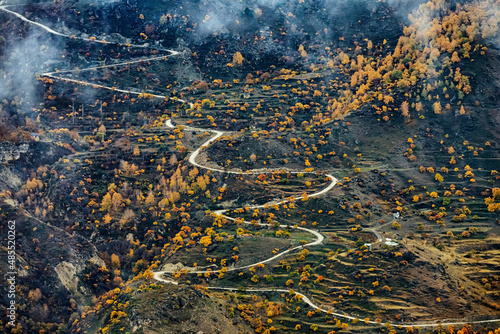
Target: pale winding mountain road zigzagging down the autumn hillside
x,y
192,159
